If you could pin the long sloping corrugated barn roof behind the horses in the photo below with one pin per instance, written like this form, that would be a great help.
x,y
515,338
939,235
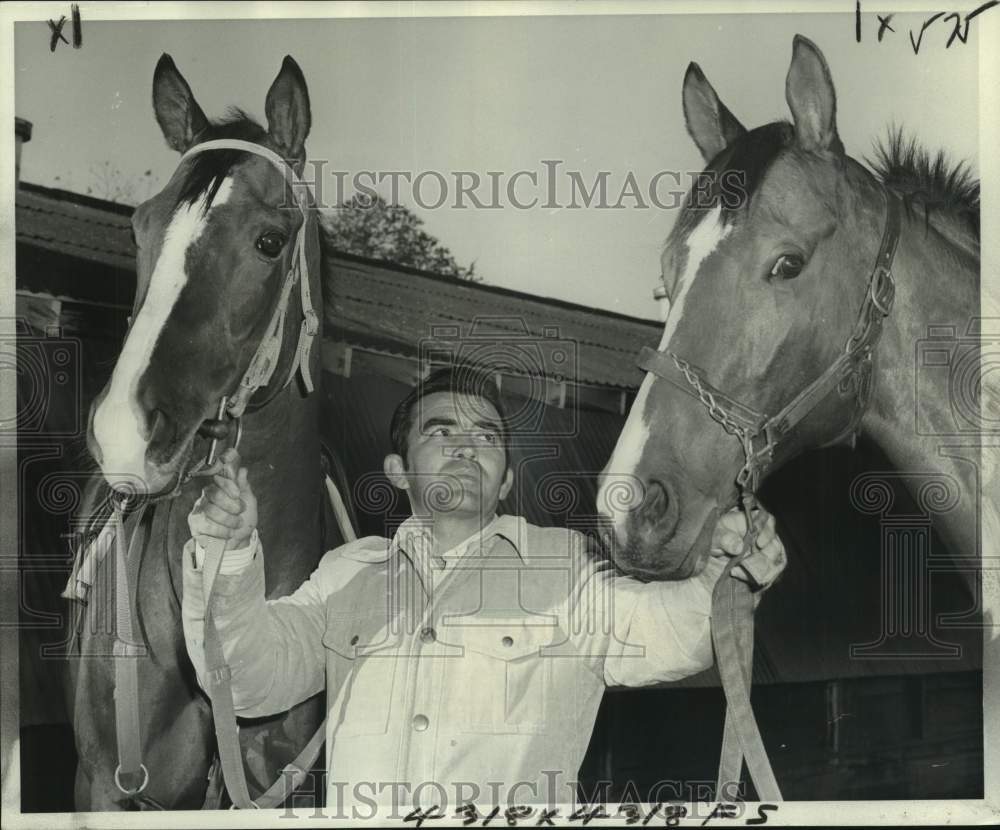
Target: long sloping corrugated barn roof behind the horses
x,y
370,304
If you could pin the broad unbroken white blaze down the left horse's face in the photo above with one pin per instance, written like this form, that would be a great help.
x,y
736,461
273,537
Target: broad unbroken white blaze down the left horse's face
x,y
119,422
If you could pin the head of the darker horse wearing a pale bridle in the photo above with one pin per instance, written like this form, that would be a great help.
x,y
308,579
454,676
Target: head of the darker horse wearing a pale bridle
x,y
216,249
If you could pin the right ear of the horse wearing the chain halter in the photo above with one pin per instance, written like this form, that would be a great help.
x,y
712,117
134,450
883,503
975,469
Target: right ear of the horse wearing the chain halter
x,y
811,98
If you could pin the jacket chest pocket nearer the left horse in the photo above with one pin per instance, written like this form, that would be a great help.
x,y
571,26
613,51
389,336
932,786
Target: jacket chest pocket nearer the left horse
x,y
361,669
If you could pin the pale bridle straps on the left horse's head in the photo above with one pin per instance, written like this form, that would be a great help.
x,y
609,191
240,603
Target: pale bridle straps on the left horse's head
x,y
265,359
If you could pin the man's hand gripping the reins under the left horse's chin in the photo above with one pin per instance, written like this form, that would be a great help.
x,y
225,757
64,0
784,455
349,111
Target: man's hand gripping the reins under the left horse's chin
x,y
227,508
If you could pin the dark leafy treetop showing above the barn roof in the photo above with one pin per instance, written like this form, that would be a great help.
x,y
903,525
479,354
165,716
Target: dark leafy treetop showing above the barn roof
x,y
371,227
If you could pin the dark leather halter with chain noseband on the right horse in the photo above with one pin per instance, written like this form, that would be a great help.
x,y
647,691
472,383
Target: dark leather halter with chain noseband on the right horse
x,y
760,433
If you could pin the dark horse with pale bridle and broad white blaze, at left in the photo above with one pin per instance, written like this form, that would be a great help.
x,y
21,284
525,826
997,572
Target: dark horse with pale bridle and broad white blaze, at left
x,y
216,250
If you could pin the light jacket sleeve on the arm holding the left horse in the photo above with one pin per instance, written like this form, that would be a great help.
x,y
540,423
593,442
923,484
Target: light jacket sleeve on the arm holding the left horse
x,y
274,648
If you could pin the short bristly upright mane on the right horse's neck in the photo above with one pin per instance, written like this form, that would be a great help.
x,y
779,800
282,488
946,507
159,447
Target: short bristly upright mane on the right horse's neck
x,y
933,181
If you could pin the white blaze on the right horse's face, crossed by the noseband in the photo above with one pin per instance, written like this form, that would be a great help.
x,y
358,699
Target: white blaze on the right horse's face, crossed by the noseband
x,y
622,490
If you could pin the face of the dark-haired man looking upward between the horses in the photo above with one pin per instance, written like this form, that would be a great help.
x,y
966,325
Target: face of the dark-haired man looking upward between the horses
x,y
456,461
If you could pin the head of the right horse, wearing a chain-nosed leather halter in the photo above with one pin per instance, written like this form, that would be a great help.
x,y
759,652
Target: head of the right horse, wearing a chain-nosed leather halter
x,y
765,270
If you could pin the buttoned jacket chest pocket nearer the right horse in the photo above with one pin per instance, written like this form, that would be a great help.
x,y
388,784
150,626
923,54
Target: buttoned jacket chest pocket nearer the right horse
x,y
503,679
